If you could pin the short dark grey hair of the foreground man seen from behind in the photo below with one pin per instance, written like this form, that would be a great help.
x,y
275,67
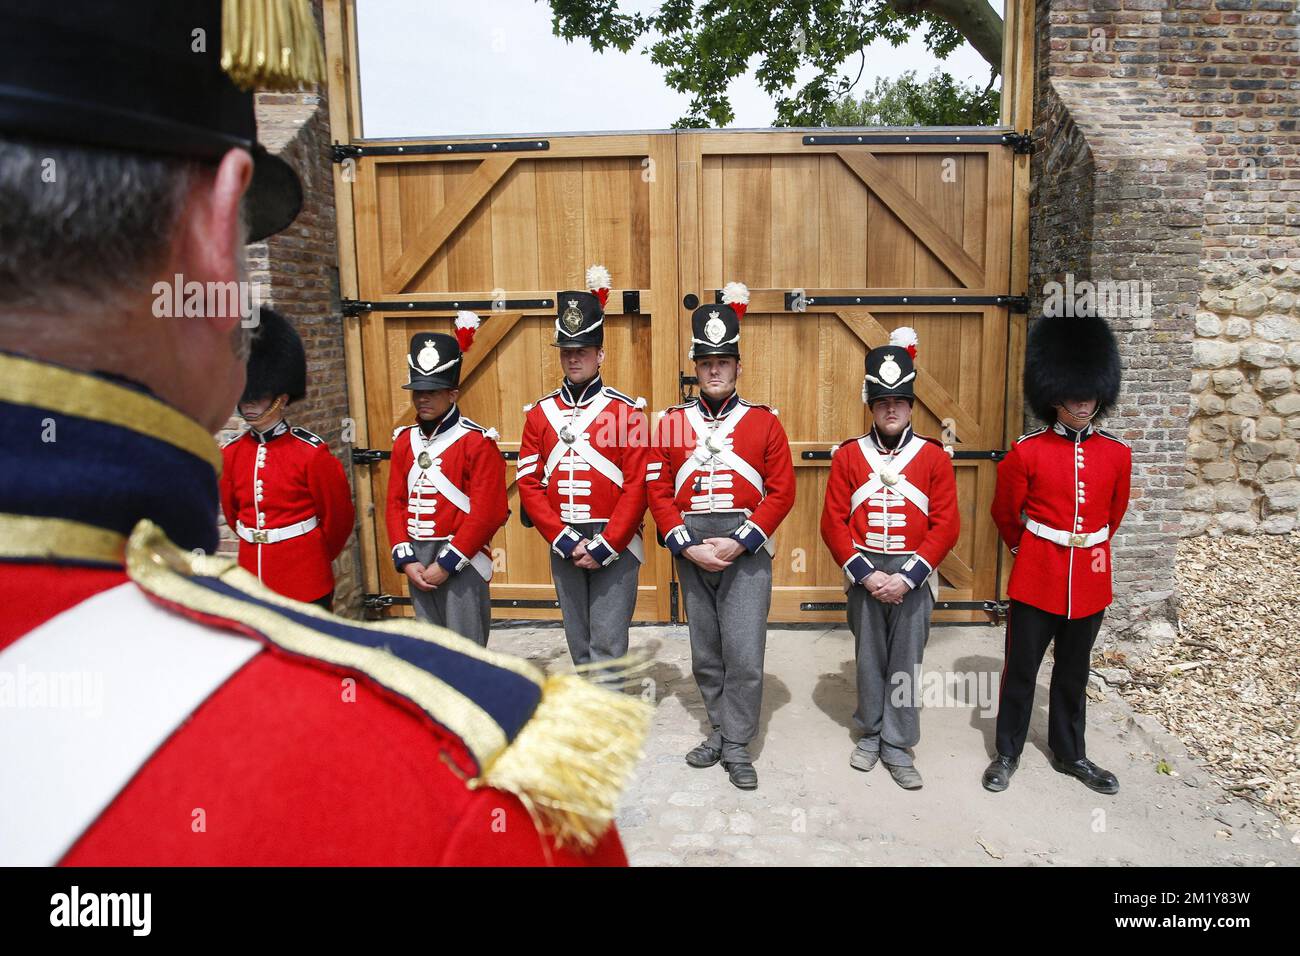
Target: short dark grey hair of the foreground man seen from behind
x,y
84,226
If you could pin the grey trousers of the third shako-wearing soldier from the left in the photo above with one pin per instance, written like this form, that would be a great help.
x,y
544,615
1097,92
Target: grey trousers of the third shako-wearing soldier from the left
x,y
727,616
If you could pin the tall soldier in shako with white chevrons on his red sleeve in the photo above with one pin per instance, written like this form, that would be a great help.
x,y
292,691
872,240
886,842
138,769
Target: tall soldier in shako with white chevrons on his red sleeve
x,y
582,482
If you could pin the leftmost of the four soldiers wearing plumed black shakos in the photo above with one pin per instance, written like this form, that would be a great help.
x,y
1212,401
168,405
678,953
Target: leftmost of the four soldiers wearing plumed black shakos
x,y
447,491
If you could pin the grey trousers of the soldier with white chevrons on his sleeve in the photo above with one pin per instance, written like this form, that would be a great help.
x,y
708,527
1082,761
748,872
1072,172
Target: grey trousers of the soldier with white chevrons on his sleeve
x,y
596,605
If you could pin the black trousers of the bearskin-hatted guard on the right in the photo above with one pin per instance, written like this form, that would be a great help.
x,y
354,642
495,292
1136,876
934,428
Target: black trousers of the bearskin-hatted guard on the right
x,y
1029,631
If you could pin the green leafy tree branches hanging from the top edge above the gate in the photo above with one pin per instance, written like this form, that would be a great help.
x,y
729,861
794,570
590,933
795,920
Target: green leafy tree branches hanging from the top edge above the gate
x,y
704,45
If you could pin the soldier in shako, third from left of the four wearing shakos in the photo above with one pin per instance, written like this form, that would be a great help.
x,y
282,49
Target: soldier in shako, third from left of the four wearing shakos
x,y
721,482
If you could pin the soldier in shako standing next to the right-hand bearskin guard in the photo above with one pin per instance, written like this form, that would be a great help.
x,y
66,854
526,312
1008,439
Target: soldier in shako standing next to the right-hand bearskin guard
x,y
890,518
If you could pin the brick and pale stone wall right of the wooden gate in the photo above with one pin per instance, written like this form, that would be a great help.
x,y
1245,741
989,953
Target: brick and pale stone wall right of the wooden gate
x,y
1167,154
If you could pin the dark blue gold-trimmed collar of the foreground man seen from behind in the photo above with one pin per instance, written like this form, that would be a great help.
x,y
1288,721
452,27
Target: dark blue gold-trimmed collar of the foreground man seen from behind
x,y
101,453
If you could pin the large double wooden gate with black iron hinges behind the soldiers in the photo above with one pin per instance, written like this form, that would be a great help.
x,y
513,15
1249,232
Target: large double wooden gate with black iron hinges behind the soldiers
x,y
840,240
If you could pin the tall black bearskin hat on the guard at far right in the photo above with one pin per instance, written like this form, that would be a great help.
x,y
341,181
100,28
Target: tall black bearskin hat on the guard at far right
x,y
1071,358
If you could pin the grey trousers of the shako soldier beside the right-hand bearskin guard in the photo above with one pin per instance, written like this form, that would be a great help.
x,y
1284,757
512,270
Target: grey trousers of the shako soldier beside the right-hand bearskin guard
x,y
890,642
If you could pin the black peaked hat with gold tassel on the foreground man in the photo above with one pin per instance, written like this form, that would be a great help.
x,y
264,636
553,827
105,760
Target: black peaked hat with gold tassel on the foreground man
x,y
148,77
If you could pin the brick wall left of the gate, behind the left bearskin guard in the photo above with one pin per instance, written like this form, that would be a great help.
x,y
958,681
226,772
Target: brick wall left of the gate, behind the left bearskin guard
x,y
298,275
